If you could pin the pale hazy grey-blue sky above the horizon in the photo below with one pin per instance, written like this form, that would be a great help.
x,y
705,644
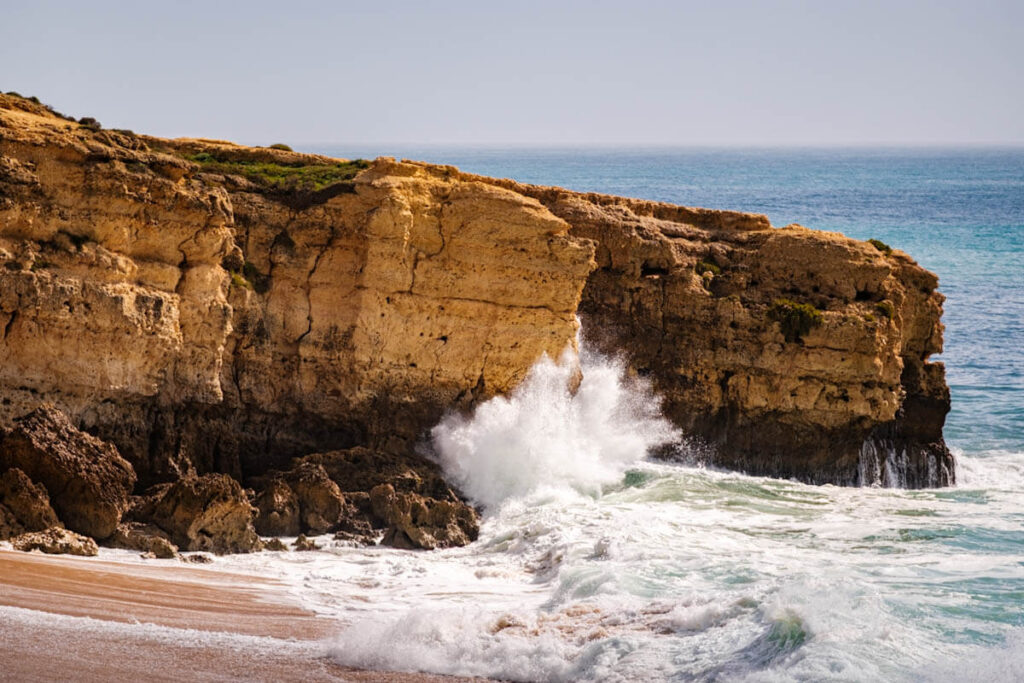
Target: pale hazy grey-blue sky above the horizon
x,y
530,73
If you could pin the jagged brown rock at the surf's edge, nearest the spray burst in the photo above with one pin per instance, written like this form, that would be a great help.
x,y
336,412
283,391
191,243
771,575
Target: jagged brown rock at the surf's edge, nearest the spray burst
x,y
415,522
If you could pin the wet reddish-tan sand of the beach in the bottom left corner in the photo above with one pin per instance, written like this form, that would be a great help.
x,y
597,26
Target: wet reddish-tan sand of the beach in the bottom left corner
x,y
95,620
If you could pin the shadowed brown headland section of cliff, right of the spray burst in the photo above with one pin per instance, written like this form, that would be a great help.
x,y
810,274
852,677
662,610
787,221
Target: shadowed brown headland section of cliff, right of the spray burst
x,y
706,305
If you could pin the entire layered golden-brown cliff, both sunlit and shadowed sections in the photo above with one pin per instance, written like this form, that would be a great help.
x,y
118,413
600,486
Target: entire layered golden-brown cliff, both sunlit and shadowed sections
x,y
174,298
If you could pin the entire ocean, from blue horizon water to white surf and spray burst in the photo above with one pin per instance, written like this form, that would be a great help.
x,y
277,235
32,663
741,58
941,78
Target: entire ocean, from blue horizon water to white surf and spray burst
x,y
598,565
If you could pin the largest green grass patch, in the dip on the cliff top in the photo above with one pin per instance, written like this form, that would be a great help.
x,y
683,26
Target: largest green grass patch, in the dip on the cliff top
x,y
287,178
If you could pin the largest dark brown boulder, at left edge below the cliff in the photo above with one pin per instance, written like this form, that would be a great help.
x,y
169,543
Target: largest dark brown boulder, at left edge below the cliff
x,y
88,482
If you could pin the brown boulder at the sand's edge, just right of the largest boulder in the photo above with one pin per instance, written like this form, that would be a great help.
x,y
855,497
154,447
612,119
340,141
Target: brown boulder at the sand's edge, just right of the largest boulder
x,y
202,514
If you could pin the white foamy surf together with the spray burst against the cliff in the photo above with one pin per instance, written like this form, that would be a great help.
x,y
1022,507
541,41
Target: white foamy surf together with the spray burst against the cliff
x,y
598,565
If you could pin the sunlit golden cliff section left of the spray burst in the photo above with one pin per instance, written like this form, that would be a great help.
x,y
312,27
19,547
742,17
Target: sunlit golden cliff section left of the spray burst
x,y
353,317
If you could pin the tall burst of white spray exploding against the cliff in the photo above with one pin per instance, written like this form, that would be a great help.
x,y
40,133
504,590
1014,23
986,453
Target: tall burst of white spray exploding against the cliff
x,y
545,437
